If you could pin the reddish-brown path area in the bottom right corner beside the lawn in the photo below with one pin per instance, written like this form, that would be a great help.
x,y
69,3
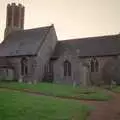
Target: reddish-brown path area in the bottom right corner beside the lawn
x,y
109,110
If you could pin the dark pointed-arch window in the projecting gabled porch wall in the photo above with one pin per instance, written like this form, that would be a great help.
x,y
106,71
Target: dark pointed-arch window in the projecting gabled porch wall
x,y
67,68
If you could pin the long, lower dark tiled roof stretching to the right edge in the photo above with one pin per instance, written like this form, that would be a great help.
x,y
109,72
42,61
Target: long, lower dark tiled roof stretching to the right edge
x,y
92,46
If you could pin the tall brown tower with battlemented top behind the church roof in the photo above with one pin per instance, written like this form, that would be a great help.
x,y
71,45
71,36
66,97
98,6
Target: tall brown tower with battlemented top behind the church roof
x,y
14,18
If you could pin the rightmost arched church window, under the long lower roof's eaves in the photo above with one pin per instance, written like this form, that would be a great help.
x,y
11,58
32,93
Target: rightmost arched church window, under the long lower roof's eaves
x,y
94,65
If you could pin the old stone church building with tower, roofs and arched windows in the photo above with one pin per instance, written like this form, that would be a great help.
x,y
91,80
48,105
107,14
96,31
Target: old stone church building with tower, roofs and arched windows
x,y
36,55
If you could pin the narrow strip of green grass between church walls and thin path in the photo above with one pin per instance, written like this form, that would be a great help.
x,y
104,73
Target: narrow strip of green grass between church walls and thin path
x,y
61,90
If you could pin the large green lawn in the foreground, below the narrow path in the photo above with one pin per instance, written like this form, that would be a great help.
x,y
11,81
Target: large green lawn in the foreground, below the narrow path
x,y
23,106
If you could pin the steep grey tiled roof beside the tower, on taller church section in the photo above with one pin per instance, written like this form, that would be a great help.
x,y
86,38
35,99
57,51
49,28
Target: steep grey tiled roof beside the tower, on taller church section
x,y
24,42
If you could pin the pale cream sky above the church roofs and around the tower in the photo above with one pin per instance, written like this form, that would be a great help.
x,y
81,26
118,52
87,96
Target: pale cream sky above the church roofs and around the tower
x,y
71,18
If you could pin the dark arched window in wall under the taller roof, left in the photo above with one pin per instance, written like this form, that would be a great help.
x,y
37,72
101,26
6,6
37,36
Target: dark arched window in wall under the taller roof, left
x,y
24,66
